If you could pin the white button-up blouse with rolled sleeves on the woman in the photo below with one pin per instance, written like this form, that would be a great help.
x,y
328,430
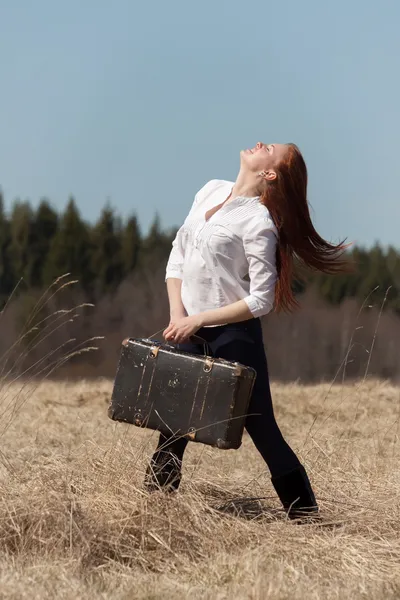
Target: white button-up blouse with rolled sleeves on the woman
x,y
229,257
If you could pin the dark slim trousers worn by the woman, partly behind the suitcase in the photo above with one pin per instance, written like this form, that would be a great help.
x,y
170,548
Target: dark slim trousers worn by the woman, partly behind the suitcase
x,y
243,342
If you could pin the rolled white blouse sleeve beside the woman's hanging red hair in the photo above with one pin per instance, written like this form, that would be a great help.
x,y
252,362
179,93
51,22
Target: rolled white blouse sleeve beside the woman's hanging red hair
x,y
260,249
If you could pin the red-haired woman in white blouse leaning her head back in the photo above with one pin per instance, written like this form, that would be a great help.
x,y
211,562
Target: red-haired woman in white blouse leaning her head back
x,y
230,264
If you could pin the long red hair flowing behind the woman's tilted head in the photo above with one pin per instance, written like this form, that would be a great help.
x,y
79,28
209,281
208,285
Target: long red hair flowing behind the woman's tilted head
x,y
286,200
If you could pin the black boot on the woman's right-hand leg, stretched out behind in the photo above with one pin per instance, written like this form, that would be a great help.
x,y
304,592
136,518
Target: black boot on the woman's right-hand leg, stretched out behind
x,y
295,493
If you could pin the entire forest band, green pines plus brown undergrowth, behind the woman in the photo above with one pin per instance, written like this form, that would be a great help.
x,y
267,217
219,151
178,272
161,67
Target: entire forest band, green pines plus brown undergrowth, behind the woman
x,y
340,331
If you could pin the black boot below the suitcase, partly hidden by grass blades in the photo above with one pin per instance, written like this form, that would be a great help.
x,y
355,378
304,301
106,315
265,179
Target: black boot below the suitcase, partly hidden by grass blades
x,y
163,472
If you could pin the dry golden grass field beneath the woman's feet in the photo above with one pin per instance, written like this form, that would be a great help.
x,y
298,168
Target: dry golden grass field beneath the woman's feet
x,y
75,521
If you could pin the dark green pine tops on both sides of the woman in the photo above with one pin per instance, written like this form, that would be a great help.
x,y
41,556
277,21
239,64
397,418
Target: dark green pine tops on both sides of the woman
x,y
40,244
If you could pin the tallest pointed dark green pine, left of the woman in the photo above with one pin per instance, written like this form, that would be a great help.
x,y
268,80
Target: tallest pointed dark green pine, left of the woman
x,y
70,249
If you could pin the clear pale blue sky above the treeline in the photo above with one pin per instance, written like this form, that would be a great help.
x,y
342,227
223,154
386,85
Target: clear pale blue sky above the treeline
x,y
142,103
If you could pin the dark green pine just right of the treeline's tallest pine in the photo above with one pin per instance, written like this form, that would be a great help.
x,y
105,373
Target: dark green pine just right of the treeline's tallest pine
x,y
107,260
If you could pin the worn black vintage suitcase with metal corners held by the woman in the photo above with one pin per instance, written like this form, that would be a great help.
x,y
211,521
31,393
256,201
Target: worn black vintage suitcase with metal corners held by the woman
x,y
201,398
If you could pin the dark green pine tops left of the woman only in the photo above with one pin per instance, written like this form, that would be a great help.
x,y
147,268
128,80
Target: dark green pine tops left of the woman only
x,y
40,245
